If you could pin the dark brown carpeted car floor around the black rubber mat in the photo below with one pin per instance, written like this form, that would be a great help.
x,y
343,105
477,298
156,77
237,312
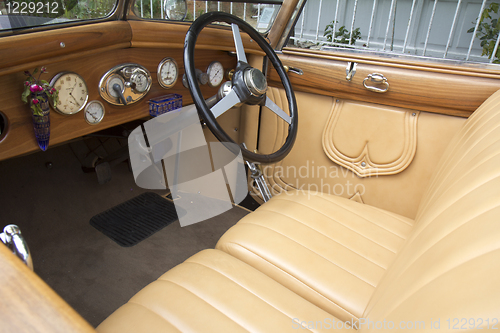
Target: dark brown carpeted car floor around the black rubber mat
x,y
52,200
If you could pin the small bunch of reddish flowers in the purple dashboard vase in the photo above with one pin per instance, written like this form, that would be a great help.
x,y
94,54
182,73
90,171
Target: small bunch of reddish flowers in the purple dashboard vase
x,y
39,90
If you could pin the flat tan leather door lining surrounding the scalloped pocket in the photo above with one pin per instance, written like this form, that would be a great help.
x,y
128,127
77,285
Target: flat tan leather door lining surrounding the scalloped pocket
x,y
307,167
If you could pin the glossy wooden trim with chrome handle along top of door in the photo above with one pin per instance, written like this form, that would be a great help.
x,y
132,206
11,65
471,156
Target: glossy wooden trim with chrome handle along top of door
x,y
447,91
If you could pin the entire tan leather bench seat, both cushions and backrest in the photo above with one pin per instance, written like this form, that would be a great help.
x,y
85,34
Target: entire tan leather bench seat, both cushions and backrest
x,y
442,273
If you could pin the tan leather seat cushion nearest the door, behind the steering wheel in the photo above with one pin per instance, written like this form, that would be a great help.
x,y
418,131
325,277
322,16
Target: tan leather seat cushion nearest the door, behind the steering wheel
x,y
329,250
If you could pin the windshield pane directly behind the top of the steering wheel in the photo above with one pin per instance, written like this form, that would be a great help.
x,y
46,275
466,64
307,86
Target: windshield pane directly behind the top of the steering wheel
x,y
260,15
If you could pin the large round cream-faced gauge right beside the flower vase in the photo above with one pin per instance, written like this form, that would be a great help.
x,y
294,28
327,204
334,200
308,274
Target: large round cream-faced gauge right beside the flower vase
x,y
73,92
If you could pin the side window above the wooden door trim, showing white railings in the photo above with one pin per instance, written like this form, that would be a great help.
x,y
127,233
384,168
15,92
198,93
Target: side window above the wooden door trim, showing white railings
x,y
463,30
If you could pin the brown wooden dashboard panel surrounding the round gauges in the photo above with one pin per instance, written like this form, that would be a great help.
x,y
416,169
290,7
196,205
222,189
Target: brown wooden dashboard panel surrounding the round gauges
x,y
92,66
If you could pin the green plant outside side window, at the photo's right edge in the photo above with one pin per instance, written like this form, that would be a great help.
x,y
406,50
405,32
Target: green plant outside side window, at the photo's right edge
x,y
487,31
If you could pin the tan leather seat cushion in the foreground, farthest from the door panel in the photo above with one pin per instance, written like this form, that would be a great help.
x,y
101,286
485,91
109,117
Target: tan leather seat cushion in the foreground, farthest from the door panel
x,y
214,292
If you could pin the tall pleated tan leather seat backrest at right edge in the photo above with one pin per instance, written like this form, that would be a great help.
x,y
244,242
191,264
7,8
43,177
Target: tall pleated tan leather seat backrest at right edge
x,y
448,272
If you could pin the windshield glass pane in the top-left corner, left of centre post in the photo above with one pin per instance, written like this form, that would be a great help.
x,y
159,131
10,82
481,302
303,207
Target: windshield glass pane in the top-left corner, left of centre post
x,y
31,13
